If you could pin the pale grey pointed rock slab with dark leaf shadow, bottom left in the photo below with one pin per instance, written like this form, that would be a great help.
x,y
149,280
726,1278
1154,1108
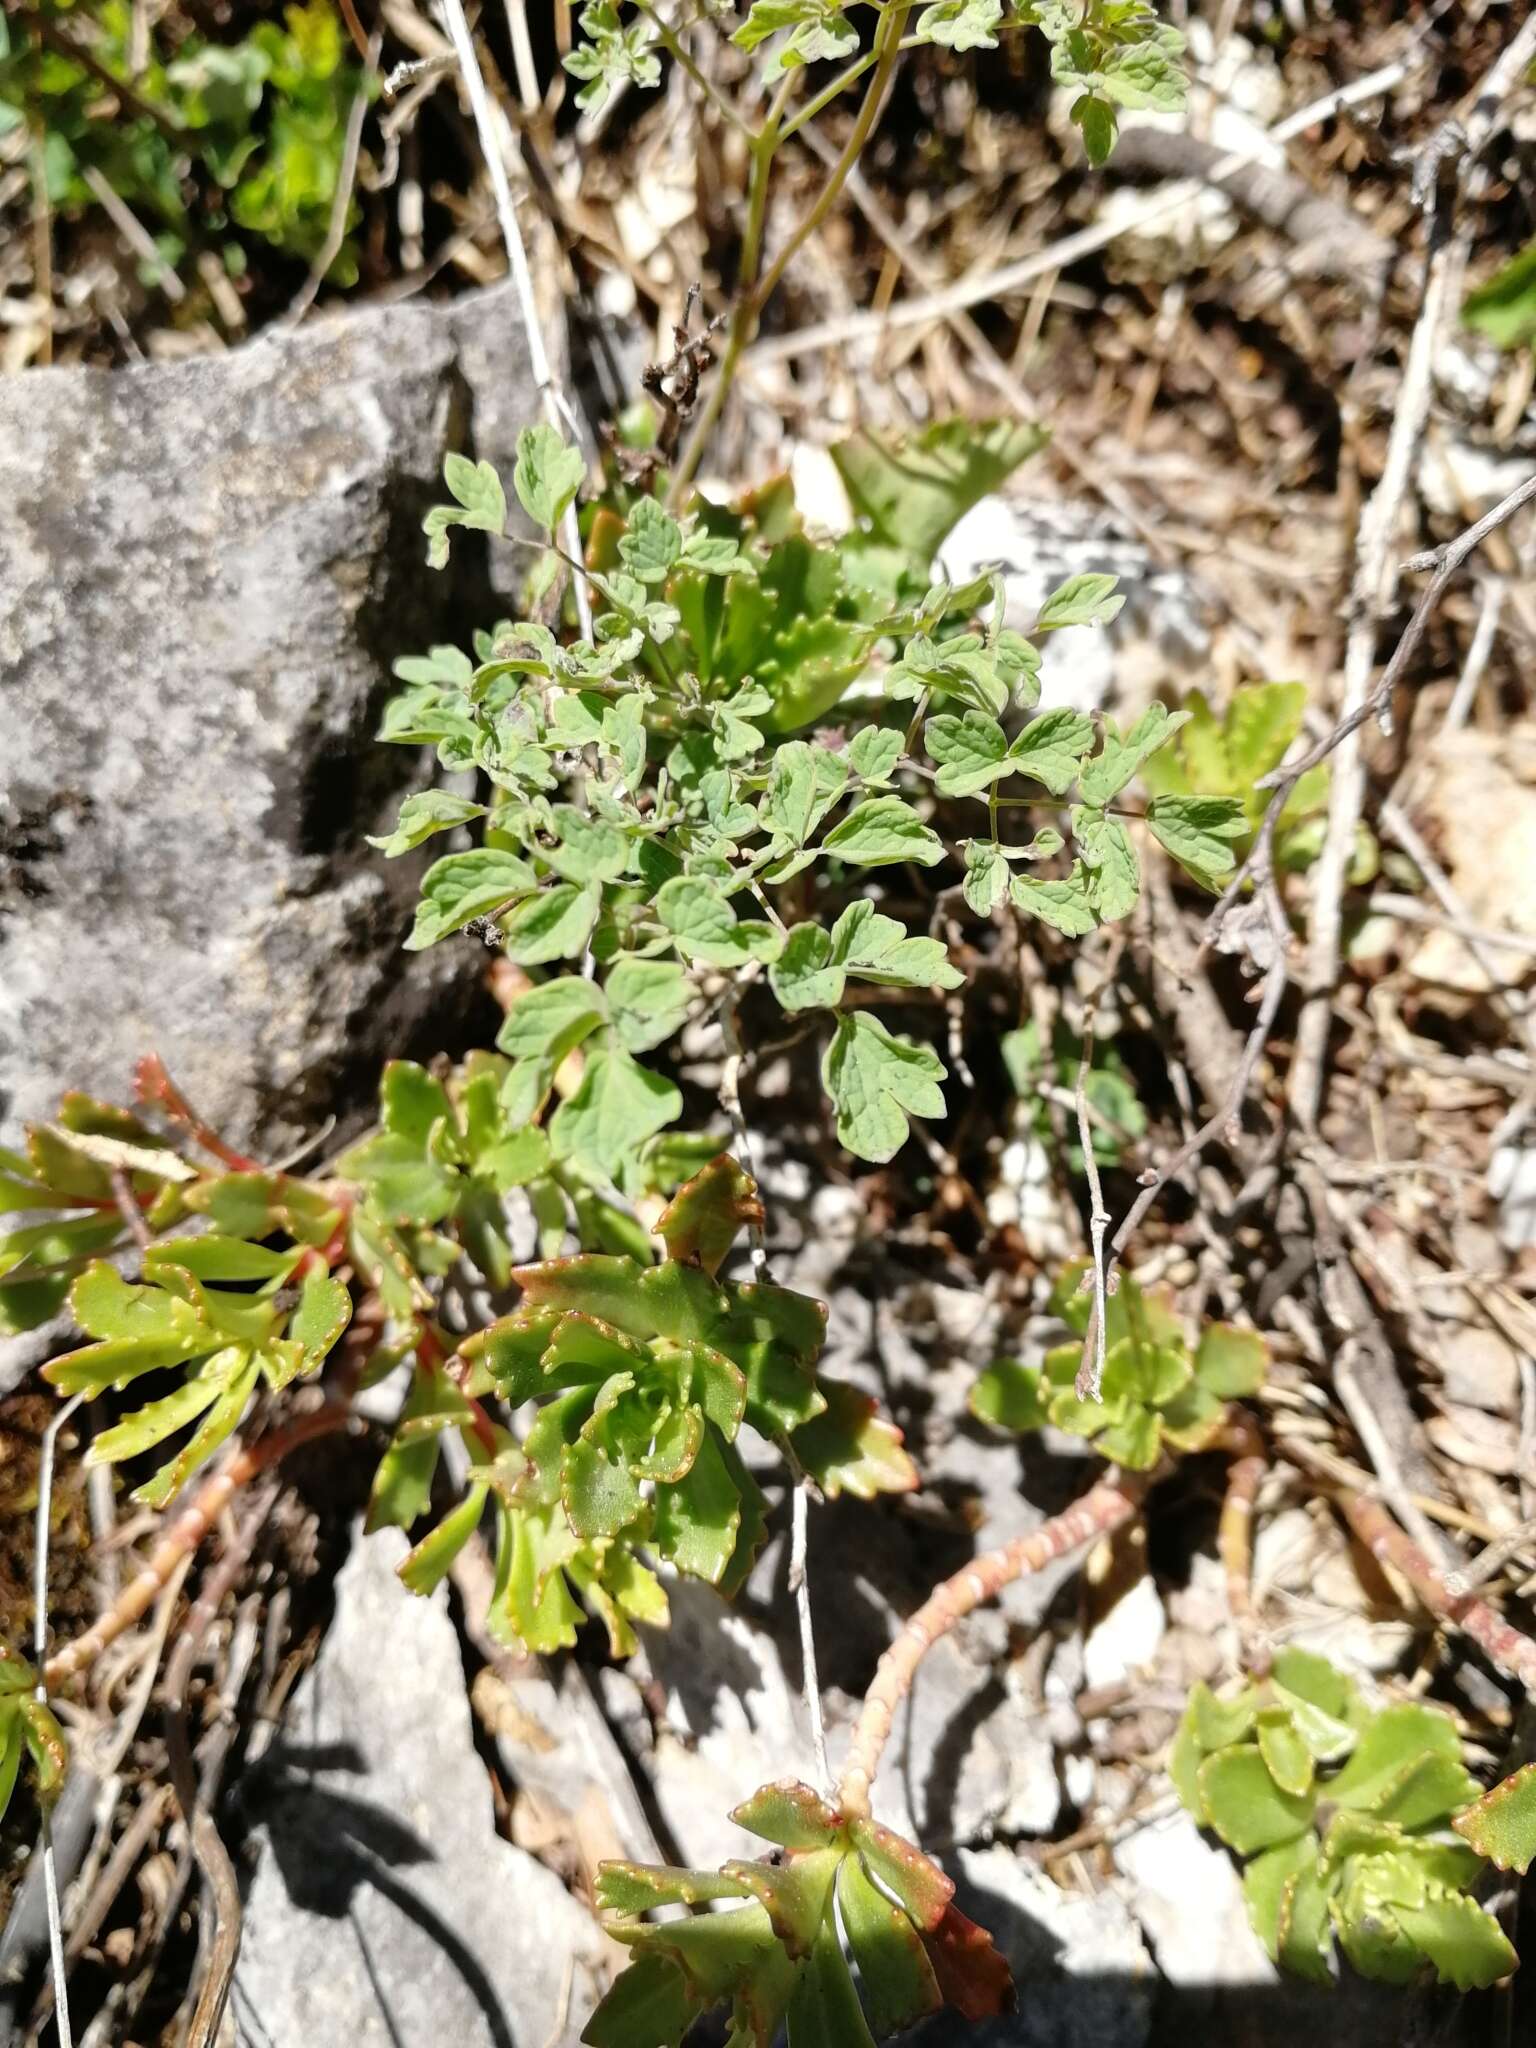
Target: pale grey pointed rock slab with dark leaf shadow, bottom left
x,y
386,1908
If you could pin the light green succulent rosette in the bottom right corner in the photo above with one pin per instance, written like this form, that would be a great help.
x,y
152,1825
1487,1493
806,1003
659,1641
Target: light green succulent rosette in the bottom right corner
x,y
1345,1820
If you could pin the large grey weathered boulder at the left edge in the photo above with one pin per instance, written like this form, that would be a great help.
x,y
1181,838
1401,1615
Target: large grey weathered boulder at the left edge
x,y
206,572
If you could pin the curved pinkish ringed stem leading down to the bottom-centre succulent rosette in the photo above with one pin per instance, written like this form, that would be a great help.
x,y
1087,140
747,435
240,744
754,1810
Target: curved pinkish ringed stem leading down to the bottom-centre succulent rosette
x,y
1107,1506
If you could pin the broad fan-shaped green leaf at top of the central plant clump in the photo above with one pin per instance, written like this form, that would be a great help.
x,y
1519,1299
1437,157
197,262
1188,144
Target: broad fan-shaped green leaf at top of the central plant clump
x,y
914,490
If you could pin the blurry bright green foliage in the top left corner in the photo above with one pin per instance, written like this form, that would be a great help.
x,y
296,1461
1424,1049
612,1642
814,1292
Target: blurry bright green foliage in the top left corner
x,y
216,136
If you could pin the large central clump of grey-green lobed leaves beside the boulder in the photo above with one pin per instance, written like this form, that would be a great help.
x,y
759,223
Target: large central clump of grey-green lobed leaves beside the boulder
x,y
720,638
